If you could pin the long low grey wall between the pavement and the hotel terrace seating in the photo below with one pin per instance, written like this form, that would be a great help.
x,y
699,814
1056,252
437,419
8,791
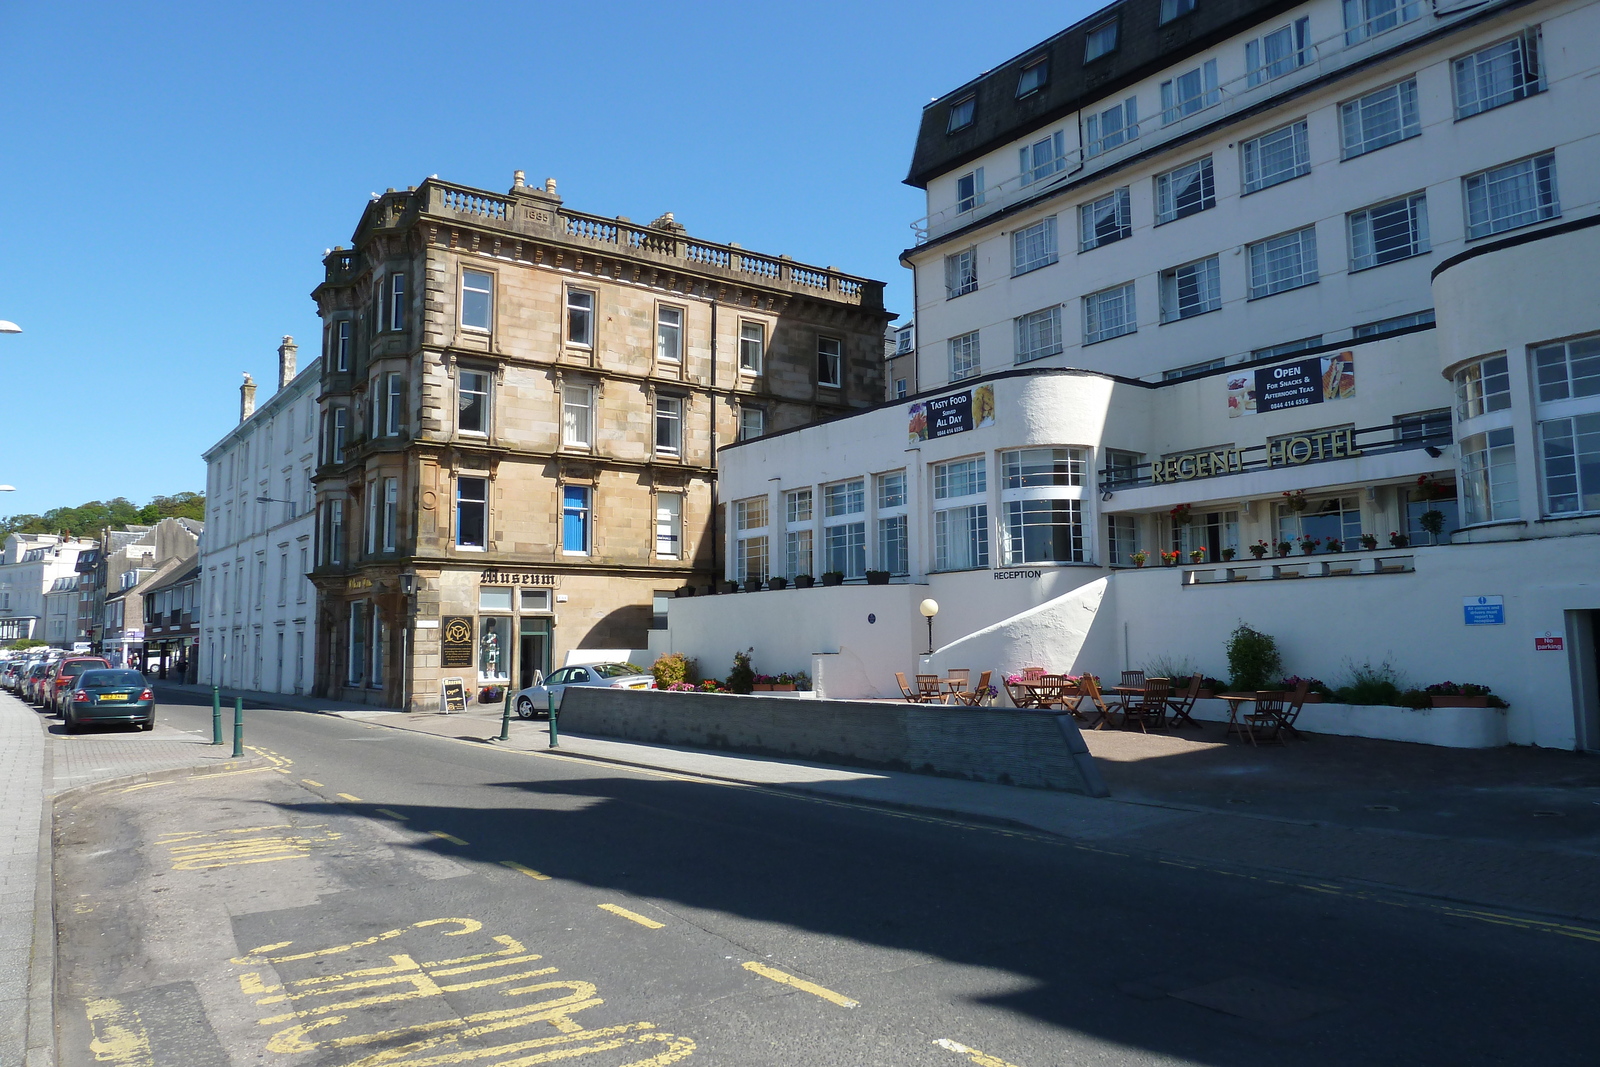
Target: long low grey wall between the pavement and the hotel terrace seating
x,y
988,745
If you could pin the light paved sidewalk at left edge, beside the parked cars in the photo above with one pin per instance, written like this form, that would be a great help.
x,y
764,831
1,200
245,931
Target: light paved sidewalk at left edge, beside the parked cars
x,y
38,765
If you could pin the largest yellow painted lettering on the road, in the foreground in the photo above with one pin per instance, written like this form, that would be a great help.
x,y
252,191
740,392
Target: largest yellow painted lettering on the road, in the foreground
x,y
324,1005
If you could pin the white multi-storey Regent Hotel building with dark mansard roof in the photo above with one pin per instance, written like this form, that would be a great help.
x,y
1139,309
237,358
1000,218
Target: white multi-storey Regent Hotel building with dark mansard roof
x,y
1210,263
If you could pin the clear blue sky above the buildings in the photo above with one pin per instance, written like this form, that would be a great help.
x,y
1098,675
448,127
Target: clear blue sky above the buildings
x,y
174,172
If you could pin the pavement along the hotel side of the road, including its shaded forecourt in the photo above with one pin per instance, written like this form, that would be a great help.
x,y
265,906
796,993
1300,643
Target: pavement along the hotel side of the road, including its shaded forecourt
x,y
1510,828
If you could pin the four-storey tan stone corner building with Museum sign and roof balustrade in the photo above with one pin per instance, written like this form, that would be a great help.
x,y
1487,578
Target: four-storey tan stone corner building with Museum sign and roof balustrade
x,y
521,410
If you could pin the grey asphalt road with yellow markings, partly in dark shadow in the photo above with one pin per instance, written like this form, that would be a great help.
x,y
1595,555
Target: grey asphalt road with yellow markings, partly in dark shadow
x,y
388,898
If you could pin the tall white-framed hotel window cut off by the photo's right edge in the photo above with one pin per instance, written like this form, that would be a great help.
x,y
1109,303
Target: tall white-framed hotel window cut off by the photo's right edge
x,y
1567,404
